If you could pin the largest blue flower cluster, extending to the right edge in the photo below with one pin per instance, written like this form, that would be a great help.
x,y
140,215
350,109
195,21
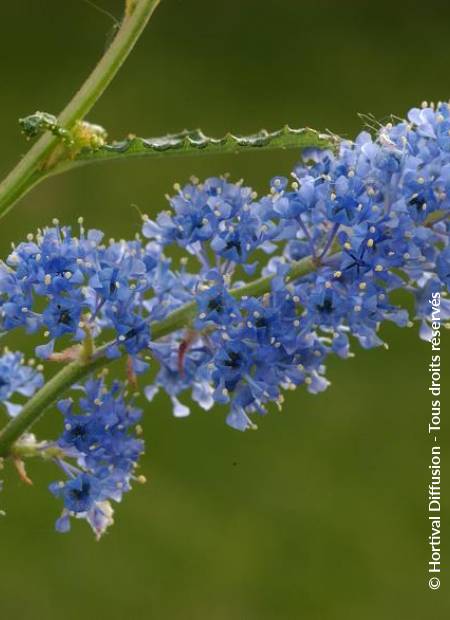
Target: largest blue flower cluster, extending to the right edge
x,y
373,218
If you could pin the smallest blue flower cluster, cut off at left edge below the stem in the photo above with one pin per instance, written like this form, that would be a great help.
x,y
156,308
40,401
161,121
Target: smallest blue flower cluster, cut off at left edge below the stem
x,y
17,377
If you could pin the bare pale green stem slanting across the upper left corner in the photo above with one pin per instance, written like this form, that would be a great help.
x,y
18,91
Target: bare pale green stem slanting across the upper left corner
x,y
31,169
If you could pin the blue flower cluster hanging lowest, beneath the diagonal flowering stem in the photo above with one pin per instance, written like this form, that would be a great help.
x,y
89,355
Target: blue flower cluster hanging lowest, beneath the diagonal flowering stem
x,y
101,437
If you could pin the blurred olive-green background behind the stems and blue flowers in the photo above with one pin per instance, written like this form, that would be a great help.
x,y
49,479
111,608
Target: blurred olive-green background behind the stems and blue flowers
x,y
321,513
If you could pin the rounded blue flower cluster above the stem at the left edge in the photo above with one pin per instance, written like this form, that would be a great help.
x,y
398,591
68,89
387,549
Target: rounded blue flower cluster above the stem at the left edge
x,y
71,286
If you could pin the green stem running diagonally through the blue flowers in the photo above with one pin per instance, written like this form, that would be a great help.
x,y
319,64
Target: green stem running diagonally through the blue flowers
x,y
73,372
